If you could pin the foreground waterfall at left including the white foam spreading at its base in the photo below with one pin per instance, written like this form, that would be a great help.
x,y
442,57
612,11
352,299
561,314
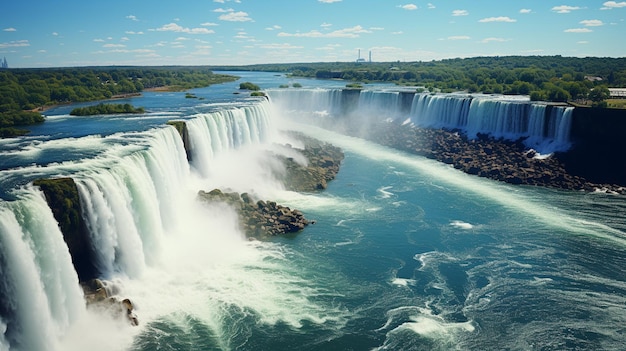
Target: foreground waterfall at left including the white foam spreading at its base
x,y
149,233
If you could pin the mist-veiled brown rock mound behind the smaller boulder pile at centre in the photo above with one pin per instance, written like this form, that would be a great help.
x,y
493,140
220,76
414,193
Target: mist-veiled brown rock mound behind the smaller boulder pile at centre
x,y
324,160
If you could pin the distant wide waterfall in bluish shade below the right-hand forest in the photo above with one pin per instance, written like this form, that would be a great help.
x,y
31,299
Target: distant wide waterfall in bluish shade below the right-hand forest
x,y
543,127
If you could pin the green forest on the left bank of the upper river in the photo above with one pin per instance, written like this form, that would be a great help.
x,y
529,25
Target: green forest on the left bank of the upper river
x,y
23,90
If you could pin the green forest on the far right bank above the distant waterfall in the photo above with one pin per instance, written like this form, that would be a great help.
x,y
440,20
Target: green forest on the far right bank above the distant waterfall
x,y
547,78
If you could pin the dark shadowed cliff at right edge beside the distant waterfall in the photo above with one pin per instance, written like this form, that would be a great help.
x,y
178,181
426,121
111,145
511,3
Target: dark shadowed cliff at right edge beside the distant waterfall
x,y
599,151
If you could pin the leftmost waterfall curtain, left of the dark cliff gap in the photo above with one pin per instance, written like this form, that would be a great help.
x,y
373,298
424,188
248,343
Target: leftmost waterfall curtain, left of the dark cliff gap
x,y
38,280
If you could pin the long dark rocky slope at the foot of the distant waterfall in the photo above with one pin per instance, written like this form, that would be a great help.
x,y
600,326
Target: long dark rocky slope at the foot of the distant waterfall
x,y
485,156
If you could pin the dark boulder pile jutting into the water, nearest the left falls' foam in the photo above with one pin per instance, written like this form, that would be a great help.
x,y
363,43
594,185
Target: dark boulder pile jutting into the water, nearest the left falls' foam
x,y
259,219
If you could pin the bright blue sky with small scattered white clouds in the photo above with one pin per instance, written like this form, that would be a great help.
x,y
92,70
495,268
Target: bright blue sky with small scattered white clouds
x,y
54,33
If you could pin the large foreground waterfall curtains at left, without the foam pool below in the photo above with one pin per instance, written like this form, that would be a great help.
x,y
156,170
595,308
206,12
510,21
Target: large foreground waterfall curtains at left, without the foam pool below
x,y
136,198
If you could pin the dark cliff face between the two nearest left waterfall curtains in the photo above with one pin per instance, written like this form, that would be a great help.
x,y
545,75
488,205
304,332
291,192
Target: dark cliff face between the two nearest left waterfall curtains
x,y
62,197
